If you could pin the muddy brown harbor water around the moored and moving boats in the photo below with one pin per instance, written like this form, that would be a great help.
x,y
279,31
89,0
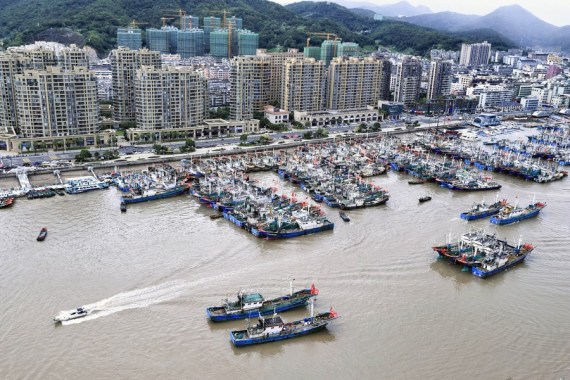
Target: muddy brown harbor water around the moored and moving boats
x,y
152,271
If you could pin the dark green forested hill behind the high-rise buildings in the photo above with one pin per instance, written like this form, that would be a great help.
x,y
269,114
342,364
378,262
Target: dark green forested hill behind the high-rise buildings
x,y
94,22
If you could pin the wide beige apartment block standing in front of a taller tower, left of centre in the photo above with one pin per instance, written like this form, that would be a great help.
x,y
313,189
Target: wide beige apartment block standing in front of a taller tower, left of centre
x,y
172,97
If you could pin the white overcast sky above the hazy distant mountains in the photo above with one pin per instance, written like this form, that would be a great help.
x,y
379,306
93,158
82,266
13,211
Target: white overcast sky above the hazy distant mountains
x,y
556,12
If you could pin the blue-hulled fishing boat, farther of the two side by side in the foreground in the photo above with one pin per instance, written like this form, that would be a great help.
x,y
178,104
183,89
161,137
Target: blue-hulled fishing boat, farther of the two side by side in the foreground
x,y
250,305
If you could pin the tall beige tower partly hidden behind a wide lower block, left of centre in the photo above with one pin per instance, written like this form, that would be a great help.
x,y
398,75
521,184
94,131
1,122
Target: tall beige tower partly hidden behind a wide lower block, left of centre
x,y
124,64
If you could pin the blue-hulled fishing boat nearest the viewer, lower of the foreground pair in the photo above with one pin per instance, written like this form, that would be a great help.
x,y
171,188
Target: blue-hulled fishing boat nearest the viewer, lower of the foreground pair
x,y
274,328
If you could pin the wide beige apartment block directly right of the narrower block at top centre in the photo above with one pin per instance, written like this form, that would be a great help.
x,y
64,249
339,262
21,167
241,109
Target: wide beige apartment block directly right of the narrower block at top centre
x,y
354,83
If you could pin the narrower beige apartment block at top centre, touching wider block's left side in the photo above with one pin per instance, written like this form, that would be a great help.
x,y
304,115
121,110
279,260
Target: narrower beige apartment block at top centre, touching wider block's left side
x,y
304,85
